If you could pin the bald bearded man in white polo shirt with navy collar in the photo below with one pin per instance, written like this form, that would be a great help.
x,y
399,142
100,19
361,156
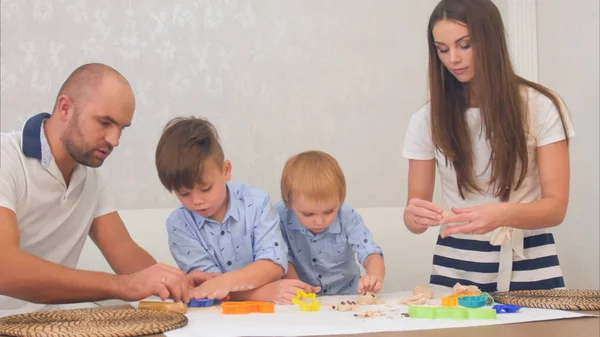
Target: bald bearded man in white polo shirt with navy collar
x,y
52,198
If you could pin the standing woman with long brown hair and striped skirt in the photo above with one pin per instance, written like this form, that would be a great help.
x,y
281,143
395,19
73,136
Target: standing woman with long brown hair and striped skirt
x,y
500,144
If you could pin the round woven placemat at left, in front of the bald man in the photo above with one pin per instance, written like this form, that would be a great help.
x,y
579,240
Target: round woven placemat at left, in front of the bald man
x,y
91,322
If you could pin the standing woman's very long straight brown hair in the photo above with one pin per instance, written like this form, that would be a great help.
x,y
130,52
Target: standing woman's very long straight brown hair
x,y
498,95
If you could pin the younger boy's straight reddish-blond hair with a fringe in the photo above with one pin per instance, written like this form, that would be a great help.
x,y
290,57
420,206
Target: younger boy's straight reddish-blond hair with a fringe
x,y
313,174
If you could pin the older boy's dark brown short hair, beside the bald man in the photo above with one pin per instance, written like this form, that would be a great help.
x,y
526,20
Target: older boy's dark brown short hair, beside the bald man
x,y
183,148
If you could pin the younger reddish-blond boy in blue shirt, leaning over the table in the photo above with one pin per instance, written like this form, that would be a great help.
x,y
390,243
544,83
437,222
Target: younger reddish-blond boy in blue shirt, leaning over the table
x,y
324,235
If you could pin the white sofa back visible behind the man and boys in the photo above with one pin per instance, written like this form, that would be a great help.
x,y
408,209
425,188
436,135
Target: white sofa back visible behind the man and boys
x,y
407,256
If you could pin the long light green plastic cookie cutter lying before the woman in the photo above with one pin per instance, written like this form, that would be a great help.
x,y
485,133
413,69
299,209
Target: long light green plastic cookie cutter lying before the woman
x,y
455,313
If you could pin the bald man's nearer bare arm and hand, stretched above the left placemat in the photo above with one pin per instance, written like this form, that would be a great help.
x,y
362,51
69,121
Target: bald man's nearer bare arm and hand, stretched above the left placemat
x,y
32,279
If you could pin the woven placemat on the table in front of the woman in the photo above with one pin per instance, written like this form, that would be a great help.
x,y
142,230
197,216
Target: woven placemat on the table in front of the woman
x,y
561,299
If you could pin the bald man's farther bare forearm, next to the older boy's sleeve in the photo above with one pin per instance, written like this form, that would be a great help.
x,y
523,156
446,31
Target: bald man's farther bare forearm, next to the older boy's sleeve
x,y
124,256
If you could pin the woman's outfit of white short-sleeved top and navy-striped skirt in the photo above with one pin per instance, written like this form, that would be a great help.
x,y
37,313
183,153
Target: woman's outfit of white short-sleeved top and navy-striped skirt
x,y
471,259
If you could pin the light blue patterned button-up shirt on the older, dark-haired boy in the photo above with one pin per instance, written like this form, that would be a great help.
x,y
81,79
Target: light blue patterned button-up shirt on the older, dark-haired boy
x,y
250,231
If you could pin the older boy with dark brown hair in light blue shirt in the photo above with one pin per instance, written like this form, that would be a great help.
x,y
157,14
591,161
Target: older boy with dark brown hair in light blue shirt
x,y
227,229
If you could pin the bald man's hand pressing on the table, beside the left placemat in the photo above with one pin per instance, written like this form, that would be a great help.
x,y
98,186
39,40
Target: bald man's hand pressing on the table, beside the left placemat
x,y
159,279
